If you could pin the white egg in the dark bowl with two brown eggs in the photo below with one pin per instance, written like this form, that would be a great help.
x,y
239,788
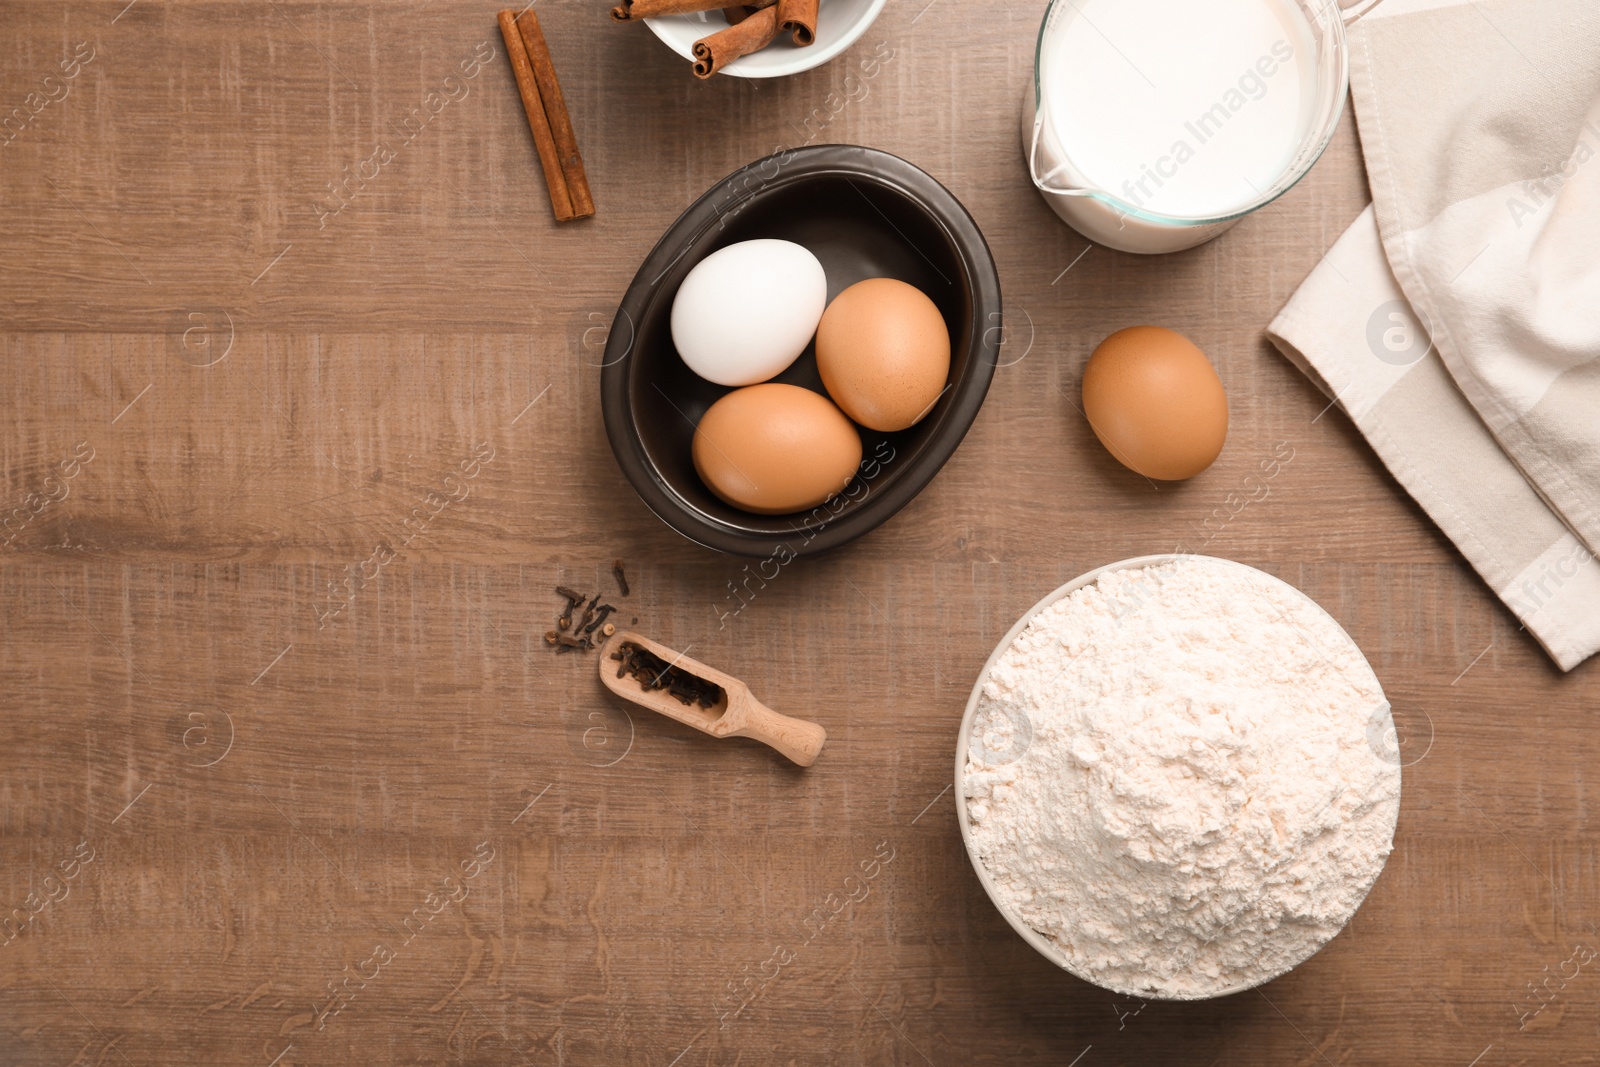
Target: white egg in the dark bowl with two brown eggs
x,y
746,311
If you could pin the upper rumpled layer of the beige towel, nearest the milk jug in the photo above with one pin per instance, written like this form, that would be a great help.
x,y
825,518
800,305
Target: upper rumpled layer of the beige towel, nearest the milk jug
x,y
1481,126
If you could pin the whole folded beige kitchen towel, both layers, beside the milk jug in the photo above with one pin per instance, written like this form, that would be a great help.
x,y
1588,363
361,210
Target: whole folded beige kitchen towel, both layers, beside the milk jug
x,y
1458,319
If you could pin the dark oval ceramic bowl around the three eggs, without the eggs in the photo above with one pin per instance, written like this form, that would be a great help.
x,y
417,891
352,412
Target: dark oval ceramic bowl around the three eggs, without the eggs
x,y
865,215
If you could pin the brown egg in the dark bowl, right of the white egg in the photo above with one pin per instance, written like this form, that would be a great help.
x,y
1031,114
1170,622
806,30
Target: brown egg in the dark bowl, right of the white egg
x,y
884,353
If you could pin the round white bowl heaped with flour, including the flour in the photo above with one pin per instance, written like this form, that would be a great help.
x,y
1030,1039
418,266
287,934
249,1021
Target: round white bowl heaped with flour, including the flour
x,y
1177,778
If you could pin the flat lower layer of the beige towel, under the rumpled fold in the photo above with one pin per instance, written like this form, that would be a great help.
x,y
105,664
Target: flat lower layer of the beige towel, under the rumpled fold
x,y
1353,332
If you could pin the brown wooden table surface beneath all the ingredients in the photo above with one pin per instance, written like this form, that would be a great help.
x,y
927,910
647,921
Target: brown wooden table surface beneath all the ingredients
x,y
231,796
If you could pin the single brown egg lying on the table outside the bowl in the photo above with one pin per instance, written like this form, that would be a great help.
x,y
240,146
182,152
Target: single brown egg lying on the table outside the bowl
x,y
1156,402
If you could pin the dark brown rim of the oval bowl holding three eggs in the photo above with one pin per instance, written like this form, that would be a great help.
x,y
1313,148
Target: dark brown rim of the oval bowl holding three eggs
x,y
983,284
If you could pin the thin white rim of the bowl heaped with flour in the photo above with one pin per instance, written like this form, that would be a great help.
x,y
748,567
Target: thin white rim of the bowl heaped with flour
x,y
1042,945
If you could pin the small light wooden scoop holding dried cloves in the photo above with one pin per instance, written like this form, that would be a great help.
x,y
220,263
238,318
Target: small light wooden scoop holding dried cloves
x,y
735,716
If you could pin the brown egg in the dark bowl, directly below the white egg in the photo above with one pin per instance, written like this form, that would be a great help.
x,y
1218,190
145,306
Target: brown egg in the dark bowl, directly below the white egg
x,y
775,449
